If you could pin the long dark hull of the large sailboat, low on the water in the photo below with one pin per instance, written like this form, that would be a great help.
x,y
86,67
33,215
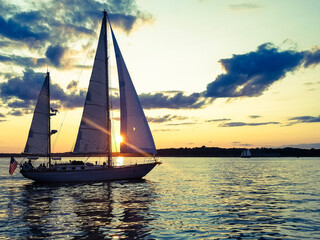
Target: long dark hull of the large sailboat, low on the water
x,y
104,174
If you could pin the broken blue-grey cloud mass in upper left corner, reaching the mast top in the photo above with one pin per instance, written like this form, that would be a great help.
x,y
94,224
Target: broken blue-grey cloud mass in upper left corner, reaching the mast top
x,y
51,33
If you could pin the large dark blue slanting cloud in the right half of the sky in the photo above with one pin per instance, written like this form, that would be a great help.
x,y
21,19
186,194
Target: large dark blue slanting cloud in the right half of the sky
x,y
252,73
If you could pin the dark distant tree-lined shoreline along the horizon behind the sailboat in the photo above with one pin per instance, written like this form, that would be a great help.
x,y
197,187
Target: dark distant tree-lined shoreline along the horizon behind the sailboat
x,y
200,152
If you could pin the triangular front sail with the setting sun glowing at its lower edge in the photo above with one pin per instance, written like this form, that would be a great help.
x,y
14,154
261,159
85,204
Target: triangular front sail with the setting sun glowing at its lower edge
x,y
134,128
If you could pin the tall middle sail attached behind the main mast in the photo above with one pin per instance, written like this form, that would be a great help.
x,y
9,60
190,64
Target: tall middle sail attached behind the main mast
x,y
92,135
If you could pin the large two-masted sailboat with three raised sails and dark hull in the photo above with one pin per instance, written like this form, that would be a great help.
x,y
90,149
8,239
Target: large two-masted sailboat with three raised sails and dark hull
x,y
94,135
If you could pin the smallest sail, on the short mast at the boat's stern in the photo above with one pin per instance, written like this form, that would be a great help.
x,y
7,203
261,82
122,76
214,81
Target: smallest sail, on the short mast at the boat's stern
x,y
38,138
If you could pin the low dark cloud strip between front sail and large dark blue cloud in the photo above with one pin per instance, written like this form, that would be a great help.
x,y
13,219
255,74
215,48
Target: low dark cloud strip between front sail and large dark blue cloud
x,y
173,101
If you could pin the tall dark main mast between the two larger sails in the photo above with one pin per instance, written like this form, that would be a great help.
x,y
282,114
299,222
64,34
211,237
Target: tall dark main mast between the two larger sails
x,y
107,92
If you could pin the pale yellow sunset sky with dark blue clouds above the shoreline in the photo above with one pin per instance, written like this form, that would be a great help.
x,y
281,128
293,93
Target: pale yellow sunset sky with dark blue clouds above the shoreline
x,y
212,73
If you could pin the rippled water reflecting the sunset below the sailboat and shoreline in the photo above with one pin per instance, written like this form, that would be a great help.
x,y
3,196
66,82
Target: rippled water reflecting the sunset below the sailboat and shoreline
x,y
184,198
